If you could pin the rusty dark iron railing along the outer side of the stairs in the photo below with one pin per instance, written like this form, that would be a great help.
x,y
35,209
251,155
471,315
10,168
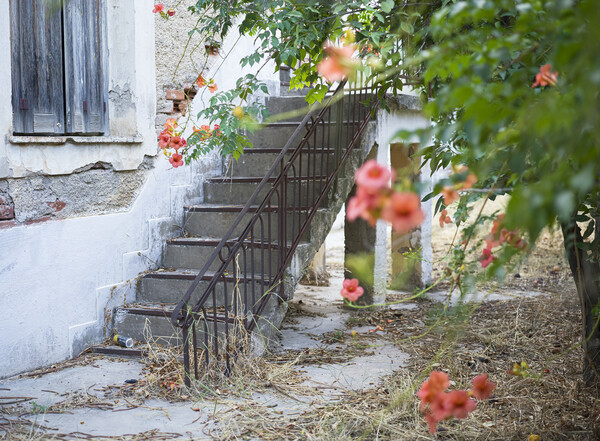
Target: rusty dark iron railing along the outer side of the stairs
x,y
274,221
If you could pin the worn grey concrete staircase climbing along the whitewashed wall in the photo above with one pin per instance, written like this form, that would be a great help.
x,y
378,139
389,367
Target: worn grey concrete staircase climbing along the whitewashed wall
x,y
149,318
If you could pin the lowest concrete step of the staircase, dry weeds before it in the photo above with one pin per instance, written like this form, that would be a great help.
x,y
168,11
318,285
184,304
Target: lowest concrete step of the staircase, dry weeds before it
x,y
151,323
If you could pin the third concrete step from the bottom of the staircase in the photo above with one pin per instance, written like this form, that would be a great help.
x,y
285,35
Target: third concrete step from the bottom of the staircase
x,y
194,252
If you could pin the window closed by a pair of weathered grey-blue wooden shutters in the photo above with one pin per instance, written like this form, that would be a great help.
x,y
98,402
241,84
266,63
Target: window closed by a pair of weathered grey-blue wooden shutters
x,y
58,73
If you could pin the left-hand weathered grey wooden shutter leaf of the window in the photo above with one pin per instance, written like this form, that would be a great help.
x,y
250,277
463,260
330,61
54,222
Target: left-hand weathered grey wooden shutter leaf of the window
x,y
37,72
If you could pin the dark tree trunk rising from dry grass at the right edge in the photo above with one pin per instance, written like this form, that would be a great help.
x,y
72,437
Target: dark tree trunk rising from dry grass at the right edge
x,y
586,274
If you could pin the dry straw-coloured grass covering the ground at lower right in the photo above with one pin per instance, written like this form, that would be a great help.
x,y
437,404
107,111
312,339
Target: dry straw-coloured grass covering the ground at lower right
x,y
553,404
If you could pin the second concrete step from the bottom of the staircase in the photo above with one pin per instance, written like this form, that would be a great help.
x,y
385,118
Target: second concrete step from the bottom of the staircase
x,y
169,286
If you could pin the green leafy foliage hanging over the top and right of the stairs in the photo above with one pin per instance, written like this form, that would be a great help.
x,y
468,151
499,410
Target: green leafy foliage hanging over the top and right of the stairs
x,y
478,60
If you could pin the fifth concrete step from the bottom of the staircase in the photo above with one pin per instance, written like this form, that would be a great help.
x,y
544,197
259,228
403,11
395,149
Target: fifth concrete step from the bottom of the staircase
x,y
238,190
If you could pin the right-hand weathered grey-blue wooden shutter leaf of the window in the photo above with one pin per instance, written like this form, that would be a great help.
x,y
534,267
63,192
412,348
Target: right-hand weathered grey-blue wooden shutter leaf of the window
x,y
85,97
